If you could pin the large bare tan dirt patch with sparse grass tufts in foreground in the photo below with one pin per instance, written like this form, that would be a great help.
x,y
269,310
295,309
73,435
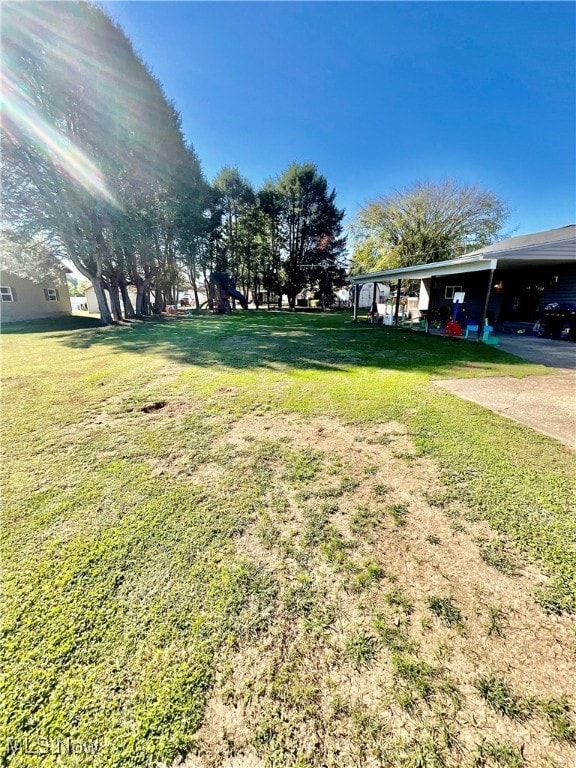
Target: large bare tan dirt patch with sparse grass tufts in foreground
x,y
387,619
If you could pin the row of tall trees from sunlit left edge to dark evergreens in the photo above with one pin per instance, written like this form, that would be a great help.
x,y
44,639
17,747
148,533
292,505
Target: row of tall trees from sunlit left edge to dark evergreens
x,y
96,171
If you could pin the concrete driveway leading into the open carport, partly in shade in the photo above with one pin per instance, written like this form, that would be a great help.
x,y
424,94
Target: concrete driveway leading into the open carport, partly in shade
x,y
545,403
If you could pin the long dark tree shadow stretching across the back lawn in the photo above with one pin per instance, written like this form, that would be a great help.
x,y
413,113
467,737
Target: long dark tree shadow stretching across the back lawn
x,y
275,340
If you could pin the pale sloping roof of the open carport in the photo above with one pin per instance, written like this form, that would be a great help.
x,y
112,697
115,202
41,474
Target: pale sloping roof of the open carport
x,y
554,246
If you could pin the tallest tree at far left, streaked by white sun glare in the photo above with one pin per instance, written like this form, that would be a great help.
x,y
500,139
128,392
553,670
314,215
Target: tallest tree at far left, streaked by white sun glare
x,y
89,152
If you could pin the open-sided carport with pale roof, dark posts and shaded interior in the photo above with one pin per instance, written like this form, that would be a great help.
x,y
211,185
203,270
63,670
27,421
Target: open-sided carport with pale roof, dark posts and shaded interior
x,y
509,280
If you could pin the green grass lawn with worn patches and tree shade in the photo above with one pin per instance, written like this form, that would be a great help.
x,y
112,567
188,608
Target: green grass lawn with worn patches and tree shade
x,y
149,474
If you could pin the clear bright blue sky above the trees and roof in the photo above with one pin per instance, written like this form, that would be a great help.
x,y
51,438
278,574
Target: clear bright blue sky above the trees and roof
x,y
377,95
